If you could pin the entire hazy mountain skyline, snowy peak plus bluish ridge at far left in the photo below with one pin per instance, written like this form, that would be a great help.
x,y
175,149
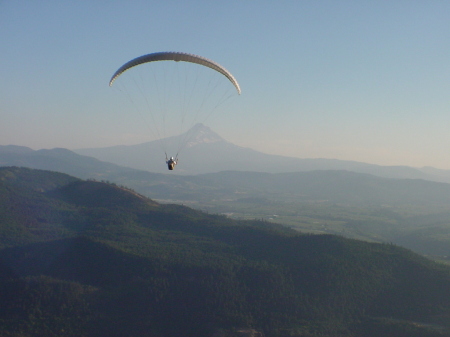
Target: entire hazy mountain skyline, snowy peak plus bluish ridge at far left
x,y
205,152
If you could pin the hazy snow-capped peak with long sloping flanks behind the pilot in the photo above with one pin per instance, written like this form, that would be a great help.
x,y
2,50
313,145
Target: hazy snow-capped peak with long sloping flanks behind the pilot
x,y
207,152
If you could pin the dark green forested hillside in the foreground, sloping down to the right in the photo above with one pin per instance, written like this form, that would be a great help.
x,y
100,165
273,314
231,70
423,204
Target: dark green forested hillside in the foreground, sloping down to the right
x,y
86,258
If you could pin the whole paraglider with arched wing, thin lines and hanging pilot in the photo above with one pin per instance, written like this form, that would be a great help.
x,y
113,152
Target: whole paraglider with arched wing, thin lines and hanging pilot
x,y
161,90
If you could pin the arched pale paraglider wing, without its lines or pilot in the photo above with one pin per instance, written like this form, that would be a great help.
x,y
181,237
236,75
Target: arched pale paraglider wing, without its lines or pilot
x,y
176,56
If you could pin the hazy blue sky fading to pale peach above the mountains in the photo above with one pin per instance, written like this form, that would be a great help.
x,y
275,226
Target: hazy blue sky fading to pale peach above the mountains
x,y
356,80
